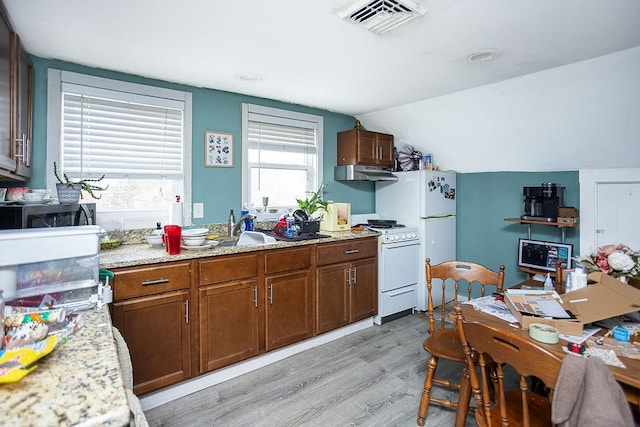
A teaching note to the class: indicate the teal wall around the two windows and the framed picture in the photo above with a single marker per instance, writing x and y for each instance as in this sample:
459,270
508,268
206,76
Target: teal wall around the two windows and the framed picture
218,188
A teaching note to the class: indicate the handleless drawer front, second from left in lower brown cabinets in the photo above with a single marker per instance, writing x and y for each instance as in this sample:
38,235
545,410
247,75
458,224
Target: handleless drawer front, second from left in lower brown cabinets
224,269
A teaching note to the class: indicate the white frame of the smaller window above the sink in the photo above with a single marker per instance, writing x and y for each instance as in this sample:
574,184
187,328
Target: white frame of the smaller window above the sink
286,115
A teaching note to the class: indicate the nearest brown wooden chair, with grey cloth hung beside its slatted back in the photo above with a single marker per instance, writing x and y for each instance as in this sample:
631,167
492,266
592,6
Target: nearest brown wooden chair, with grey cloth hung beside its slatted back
520,406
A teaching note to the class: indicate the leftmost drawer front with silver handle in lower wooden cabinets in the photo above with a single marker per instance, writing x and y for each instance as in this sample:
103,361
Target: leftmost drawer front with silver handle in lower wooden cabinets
151,279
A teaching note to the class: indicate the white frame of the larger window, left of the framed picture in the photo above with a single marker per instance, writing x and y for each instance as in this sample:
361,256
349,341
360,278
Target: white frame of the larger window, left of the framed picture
135,219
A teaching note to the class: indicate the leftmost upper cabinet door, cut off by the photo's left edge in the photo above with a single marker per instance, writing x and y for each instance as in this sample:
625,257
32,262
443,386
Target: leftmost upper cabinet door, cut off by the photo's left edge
7,161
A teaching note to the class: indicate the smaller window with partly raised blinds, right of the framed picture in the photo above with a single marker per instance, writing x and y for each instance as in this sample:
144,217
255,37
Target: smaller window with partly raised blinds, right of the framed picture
281,156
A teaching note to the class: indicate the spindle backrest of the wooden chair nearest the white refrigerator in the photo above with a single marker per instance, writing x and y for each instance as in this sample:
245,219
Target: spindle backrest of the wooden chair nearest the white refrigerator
456,274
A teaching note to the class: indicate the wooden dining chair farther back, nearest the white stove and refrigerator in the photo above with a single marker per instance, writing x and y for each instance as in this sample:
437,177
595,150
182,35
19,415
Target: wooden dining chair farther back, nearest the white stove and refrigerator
443,342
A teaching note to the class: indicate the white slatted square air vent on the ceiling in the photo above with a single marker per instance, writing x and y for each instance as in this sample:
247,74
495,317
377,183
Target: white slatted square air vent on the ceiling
380,16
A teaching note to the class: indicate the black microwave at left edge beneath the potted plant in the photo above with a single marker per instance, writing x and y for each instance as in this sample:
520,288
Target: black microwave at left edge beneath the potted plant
46,215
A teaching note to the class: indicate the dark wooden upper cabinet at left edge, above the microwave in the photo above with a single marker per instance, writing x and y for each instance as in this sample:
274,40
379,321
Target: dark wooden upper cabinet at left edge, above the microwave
16,104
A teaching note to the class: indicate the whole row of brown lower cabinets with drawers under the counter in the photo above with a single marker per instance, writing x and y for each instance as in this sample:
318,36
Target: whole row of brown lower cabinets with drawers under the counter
245,305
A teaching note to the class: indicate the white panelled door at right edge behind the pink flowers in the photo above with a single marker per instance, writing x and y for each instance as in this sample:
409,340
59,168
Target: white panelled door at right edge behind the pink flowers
609,203
